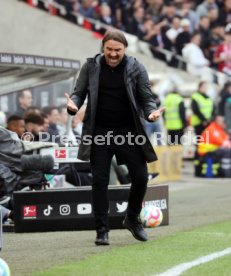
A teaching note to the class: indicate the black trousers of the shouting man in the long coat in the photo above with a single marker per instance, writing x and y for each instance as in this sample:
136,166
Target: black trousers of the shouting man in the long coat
133,157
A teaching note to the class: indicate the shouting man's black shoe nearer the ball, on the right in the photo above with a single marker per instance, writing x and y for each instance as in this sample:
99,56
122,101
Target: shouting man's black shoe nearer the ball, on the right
136,228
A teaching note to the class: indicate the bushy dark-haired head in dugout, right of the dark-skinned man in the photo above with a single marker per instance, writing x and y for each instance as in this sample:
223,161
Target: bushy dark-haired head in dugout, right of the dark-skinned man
34,124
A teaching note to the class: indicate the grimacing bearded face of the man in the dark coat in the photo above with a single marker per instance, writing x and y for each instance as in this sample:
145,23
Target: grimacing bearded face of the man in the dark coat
114,52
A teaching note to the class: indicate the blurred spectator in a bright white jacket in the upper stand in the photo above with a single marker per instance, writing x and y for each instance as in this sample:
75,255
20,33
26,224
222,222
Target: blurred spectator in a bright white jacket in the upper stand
195,58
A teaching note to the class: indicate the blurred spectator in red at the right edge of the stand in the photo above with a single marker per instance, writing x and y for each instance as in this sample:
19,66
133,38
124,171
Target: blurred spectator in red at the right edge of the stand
222,55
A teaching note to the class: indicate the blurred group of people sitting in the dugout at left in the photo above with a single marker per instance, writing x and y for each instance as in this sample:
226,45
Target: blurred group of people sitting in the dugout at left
29,121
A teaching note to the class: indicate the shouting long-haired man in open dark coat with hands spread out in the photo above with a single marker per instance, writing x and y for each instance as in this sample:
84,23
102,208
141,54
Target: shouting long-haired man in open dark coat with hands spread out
119,99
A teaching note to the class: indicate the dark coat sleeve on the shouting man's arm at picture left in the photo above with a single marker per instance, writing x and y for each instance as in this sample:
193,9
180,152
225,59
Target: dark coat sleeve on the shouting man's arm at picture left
81,87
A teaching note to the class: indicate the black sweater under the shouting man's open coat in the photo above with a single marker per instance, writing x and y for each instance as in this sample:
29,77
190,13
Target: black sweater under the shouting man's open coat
113,108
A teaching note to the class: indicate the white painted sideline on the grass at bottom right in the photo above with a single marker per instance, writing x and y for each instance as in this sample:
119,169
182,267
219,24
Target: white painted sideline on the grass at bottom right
177,270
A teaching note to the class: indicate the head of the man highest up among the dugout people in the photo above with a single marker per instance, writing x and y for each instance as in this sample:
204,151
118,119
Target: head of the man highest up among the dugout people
24,101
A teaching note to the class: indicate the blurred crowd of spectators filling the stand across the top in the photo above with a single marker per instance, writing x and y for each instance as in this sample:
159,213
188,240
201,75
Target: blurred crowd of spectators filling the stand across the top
186,28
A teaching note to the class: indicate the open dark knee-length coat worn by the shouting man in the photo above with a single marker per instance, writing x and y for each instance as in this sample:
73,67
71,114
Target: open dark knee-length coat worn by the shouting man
139,94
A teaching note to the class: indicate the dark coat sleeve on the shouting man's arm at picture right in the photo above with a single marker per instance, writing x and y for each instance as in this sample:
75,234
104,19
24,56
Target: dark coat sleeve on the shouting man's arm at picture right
144,93
